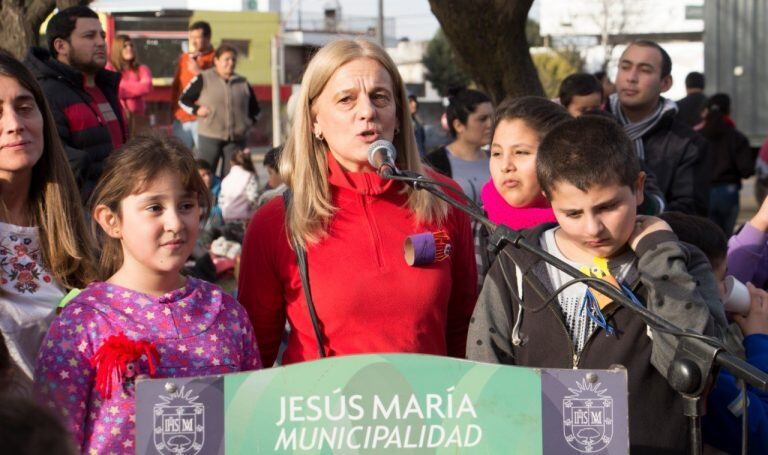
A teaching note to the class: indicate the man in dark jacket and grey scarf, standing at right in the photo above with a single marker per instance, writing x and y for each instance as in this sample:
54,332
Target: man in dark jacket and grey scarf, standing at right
676,154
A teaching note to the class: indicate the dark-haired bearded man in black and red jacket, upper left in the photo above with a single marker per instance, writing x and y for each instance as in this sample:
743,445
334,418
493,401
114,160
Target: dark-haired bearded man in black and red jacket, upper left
81,93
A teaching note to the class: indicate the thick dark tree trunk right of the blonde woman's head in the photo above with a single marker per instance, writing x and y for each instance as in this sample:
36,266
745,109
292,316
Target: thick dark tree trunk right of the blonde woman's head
489,39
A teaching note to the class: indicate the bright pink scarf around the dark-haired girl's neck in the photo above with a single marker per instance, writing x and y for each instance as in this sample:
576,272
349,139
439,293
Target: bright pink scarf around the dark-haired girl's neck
500,212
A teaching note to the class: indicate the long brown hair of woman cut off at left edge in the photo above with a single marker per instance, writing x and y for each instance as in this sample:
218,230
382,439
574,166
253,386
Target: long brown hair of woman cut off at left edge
54,200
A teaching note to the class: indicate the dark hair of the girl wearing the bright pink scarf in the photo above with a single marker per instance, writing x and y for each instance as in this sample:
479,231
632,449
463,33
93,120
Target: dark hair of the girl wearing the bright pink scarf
539,114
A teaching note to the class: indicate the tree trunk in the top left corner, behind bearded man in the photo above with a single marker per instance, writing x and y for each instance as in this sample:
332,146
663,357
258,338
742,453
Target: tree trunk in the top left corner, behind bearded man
20,21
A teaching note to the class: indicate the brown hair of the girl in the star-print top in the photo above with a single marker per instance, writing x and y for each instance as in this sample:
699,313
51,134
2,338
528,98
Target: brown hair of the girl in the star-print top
130,170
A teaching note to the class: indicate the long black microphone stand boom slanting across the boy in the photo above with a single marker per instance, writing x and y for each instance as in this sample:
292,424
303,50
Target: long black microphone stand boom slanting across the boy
697,357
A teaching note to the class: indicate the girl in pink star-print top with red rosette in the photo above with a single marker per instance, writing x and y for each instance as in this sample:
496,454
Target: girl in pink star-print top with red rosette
148,204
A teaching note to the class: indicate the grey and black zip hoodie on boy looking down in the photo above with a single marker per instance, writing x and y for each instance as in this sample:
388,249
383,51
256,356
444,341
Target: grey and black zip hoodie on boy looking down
675,279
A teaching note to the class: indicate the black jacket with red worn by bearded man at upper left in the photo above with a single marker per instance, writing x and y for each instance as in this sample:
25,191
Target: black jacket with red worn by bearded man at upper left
86,140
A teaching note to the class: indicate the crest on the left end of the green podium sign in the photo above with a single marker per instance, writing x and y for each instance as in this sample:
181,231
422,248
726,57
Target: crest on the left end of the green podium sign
179,424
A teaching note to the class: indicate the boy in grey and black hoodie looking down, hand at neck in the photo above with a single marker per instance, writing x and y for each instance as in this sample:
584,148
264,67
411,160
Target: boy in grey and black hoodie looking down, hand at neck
591,176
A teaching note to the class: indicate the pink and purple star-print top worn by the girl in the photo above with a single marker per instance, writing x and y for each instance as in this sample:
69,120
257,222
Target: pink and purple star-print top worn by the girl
198,330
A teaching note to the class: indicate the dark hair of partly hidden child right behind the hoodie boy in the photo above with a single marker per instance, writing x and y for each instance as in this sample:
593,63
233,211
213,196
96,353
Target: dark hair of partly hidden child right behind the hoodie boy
700,232
